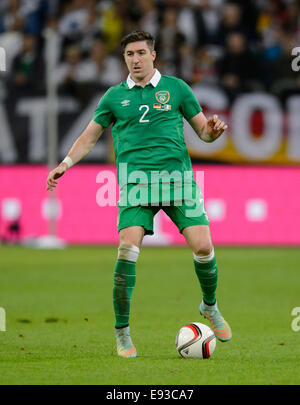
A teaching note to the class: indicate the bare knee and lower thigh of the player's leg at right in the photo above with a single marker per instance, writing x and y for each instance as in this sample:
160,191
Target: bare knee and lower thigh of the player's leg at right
198,238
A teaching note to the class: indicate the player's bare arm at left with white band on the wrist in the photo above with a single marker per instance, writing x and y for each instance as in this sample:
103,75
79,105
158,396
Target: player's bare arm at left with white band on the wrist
81,147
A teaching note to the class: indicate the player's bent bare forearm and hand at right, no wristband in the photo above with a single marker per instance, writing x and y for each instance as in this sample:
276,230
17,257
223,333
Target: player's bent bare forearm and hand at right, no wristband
208,129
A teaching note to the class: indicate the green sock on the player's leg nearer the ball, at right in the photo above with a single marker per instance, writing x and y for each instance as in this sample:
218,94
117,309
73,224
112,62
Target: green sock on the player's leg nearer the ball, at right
207,274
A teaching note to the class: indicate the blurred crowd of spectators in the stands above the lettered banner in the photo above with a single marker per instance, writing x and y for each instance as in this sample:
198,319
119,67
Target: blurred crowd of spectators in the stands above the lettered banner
240,46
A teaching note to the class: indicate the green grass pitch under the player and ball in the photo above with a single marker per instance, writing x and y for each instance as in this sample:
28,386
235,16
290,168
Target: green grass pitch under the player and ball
60,323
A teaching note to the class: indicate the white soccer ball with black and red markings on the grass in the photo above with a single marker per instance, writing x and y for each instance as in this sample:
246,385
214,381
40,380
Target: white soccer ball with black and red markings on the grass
195,341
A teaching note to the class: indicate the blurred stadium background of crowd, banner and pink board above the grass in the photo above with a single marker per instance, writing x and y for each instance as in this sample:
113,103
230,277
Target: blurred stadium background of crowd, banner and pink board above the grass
236,55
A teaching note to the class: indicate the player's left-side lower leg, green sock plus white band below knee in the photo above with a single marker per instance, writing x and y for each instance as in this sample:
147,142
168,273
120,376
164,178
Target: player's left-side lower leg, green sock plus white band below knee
124,282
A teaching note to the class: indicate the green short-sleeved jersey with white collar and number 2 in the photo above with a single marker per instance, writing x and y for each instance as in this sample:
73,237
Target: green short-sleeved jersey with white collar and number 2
147,123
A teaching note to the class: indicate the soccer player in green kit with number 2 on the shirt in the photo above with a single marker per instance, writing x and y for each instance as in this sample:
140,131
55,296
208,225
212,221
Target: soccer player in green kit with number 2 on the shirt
147,112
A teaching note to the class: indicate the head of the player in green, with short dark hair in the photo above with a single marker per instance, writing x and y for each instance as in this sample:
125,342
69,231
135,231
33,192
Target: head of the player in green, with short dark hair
139,53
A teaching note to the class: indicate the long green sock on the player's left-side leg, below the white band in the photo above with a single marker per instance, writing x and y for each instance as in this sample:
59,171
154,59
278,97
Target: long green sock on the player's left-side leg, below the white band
124,282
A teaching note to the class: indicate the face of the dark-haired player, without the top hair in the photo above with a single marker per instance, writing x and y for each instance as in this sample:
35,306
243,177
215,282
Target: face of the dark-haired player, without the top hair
139,59
